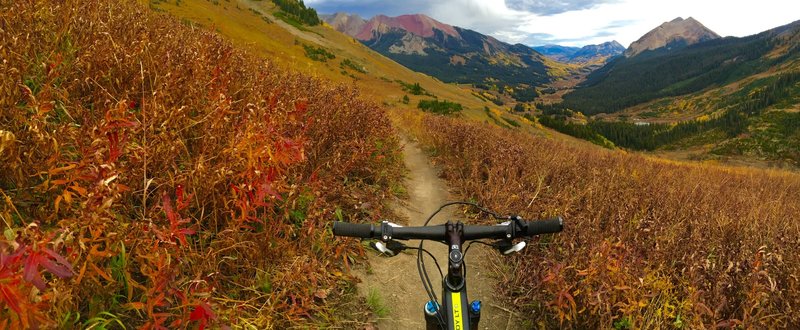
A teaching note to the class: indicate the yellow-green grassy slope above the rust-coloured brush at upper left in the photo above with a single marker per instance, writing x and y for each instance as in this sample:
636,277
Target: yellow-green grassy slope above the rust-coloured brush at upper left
253,25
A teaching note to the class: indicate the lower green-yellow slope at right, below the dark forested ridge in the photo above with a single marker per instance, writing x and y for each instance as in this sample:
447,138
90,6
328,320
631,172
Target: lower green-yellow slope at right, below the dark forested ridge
753,121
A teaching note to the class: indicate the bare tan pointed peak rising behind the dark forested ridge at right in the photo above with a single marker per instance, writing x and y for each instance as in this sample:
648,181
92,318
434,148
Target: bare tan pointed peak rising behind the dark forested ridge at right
676,33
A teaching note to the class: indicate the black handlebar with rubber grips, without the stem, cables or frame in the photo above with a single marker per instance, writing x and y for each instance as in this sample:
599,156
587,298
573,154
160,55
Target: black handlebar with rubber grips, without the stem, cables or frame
508,230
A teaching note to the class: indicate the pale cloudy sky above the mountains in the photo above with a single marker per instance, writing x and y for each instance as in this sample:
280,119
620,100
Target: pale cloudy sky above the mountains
579,22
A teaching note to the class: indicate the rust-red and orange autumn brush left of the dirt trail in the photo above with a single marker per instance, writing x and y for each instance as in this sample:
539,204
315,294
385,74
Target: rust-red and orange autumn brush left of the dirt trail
153,175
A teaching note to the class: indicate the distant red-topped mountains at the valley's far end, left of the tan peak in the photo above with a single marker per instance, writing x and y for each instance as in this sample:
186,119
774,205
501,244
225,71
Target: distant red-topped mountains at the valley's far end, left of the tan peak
500,72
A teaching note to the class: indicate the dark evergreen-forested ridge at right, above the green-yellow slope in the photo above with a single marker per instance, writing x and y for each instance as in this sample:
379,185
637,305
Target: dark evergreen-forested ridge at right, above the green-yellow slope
628,81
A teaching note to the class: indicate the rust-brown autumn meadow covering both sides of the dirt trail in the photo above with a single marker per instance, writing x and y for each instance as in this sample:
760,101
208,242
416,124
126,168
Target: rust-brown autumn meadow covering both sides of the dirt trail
155,175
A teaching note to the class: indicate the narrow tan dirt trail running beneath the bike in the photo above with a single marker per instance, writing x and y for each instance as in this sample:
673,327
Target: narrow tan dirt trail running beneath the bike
397,279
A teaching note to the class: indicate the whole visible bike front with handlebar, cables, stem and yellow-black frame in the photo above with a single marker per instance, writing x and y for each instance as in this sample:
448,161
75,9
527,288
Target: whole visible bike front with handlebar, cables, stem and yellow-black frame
453,311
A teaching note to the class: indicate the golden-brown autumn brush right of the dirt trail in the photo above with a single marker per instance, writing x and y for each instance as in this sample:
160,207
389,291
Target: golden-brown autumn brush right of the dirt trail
648,243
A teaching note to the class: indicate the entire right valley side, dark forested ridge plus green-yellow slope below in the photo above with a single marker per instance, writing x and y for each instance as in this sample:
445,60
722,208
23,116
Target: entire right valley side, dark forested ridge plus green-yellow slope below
733,100
